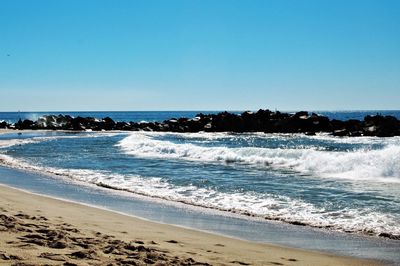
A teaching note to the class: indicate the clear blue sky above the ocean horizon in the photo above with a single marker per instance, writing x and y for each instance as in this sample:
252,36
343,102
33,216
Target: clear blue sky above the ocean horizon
199,55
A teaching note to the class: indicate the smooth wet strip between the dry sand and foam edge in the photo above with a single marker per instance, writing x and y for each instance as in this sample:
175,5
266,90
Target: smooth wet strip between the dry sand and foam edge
384,250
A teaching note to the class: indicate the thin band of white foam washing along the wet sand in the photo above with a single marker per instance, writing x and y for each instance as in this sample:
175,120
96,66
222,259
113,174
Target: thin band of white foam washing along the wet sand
265,205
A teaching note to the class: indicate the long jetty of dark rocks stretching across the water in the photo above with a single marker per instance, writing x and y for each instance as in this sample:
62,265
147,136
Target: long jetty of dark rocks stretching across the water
261,121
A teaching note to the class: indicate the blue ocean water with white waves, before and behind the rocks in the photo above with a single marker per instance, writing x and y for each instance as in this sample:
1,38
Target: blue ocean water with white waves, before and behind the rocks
337,184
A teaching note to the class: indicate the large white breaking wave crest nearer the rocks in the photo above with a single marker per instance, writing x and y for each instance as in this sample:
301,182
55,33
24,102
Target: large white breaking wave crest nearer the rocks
380,165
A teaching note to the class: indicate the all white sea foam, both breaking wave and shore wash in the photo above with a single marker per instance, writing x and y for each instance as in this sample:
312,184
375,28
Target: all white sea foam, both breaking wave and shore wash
380,164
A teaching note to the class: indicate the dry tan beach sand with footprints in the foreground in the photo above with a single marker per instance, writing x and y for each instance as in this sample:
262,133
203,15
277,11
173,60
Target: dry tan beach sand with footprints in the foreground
38,230
